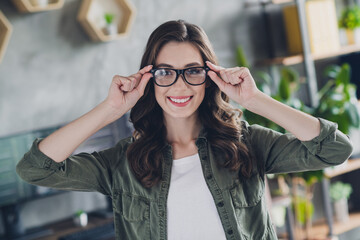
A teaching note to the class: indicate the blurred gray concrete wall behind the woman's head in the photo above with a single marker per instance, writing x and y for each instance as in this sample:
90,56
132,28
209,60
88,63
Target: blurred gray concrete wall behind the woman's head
52,73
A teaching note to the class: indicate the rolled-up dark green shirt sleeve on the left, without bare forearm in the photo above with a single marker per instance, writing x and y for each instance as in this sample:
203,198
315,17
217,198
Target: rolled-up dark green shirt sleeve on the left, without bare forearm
81,172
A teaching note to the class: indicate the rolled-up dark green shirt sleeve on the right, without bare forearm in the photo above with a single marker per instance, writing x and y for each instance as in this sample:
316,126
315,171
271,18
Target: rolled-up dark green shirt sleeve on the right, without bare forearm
283,153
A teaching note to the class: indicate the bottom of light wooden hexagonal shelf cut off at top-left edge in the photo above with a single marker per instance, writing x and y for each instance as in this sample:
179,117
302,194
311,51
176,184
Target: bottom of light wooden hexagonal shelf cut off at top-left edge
30,6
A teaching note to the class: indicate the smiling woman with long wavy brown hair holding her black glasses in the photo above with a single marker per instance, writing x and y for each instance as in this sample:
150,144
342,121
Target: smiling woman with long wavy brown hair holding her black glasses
191,170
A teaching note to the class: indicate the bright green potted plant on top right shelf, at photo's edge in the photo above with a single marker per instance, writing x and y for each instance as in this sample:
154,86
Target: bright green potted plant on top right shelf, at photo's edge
349,22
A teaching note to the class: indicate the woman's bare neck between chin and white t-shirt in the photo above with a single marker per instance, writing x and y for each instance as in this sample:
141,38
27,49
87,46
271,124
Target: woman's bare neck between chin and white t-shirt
182,130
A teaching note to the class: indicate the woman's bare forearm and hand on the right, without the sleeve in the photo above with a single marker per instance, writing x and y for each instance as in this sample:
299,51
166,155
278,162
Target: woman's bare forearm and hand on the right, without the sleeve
239,85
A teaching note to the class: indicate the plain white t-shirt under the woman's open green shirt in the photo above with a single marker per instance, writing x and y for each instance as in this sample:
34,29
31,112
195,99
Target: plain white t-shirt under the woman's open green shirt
192,213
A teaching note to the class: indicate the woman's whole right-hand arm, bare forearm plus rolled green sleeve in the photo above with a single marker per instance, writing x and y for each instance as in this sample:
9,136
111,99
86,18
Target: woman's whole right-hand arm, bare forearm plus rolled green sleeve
313,144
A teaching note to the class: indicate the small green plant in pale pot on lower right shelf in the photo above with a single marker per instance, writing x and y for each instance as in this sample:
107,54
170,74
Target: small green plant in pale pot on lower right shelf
340,193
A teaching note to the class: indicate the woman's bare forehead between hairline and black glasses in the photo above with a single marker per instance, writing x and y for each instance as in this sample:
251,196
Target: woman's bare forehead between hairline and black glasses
178,54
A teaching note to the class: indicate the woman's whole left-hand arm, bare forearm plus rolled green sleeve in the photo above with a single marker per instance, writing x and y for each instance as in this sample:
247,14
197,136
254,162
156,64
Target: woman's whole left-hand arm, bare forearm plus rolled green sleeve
48,162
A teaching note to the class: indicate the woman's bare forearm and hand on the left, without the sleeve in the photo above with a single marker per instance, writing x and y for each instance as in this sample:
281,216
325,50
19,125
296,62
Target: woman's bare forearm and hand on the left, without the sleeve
123,94
